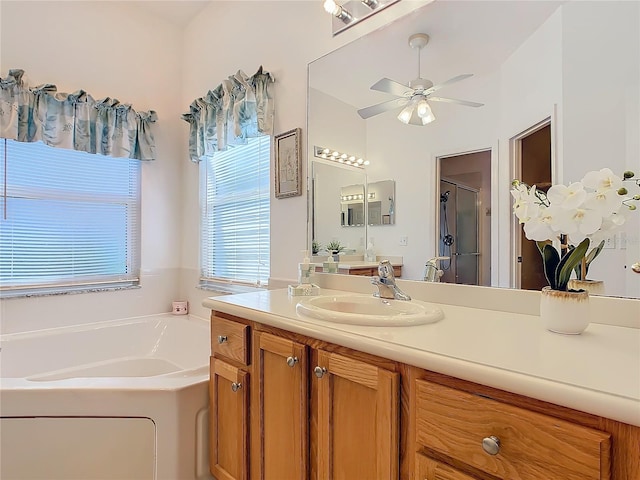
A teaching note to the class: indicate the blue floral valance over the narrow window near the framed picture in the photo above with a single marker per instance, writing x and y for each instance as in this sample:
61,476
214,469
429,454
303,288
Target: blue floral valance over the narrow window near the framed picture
239,108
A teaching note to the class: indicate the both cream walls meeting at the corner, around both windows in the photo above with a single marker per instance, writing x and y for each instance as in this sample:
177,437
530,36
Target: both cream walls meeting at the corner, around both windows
123,50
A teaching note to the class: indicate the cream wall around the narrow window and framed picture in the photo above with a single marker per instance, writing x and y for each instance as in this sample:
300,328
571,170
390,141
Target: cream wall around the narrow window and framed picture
284,37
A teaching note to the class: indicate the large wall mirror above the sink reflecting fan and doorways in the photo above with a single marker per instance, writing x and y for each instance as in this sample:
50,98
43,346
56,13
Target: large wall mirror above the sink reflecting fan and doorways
559,84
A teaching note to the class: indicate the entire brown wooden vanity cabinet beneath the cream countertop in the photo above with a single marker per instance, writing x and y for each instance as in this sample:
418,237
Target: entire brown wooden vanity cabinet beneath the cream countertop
286,406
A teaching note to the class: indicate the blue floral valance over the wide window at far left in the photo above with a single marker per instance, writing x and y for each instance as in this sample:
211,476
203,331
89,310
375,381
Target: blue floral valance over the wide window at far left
73,120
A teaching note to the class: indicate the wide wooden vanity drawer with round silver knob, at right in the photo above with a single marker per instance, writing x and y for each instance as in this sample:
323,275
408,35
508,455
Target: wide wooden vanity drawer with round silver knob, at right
531,445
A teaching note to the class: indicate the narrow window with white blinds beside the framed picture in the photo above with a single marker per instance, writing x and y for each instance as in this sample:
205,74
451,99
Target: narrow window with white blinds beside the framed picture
234,199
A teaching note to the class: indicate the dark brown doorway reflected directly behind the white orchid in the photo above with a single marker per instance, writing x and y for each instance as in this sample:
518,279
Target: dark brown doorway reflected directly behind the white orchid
532,155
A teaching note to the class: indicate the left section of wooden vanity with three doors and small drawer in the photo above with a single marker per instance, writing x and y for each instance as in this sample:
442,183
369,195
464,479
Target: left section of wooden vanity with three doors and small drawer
352,404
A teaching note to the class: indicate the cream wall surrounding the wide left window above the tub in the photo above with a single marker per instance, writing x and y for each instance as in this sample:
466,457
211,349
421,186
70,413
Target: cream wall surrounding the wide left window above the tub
107,49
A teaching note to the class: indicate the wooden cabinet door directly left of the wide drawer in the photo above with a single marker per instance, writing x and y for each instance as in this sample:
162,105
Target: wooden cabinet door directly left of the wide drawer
358,408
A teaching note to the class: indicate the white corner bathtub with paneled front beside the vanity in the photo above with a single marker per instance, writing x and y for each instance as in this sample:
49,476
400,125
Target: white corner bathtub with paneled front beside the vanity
117,400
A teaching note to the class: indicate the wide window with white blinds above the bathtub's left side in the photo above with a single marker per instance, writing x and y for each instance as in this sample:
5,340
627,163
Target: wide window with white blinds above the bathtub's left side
69,220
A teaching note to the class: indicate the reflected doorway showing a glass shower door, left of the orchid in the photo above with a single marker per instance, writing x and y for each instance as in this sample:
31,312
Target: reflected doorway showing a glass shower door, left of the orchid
464,231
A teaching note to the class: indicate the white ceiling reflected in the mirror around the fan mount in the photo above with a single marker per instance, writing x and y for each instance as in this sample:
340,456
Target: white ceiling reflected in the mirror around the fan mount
466,36
